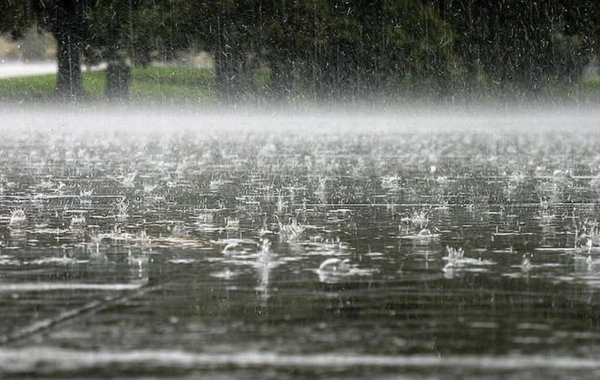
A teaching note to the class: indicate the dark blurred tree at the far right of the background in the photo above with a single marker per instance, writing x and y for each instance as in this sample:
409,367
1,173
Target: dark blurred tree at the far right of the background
522,43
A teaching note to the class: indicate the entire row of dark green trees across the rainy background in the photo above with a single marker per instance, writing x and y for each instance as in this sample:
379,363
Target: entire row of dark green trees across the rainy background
328,49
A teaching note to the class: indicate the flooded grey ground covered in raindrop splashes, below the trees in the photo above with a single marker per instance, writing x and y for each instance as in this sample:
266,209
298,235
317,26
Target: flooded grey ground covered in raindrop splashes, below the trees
140,244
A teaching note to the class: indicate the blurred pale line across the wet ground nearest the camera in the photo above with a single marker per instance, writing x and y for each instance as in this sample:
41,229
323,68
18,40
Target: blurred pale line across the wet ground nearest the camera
55,360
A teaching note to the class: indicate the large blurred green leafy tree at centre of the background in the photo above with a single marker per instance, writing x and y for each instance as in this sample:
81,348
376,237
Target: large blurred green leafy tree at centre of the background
340,49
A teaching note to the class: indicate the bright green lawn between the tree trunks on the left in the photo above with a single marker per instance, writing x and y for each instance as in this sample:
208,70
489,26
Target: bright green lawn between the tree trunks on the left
156,83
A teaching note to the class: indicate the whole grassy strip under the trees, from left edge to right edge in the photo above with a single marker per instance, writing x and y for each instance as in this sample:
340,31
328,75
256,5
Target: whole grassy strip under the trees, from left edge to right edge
176,85
